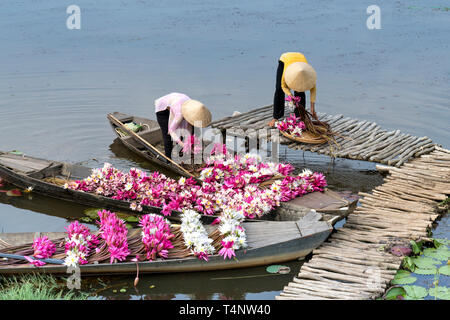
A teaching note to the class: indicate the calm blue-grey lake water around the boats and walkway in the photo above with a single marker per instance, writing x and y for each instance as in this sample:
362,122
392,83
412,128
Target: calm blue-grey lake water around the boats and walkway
57,85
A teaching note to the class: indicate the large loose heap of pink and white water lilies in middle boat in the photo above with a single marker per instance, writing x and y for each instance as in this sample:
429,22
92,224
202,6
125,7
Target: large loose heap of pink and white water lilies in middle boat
228,182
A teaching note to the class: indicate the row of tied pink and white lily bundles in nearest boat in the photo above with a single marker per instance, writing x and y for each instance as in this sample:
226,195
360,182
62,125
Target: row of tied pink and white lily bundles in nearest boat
157,239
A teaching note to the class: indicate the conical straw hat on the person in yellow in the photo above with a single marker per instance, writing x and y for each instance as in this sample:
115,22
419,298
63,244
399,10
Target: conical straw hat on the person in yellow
300,76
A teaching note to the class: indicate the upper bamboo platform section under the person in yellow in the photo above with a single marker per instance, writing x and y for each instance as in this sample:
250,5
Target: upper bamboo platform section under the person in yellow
359,140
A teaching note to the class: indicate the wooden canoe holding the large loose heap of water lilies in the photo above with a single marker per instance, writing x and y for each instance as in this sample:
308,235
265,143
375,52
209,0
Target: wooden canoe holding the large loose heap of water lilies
25,171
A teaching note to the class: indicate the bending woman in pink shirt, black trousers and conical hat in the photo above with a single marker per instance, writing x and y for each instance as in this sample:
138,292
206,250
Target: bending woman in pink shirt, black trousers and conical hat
175,113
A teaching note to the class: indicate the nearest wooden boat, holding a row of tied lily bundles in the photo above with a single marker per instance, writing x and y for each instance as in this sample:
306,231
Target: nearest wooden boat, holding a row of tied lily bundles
269,242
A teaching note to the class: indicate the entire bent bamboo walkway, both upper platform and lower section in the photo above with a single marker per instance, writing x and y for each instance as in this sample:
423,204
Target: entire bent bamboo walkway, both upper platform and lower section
354,262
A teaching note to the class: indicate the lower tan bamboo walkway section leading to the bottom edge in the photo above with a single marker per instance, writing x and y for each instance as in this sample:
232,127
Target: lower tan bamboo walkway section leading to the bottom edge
355,262
